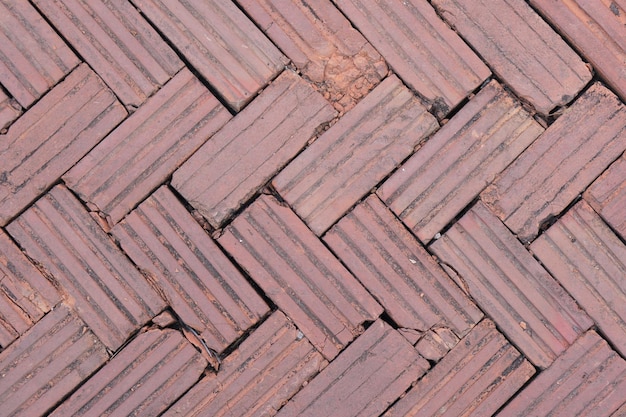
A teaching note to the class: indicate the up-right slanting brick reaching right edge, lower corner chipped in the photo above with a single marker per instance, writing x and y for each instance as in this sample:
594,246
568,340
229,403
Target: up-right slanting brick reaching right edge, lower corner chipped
560,164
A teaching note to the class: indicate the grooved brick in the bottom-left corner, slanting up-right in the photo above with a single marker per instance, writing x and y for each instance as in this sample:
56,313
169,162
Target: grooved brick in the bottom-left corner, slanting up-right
47,363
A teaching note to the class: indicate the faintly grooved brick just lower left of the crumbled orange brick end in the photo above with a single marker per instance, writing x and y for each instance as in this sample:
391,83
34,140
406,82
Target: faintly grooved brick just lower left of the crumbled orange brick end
231,167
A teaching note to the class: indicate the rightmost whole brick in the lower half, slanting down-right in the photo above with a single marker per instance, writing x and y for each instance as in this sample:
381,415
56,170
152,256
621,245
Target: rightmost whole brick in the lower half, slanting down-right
526,303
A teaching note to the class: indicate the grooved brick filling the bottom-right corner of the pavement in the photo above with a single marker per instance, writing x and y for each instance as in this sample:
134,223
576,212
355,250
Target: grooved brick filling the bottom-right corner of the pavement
588,379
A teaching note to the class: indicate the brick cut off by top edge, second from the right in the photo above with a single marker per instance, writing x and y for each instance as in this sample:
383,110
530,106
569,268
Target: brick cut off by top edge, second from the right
520,48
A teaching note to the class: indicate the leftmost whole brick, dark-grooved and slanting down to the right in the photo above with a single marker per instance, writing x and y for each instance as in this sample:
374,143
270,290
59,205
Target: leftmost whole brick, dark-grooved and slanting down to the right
108,293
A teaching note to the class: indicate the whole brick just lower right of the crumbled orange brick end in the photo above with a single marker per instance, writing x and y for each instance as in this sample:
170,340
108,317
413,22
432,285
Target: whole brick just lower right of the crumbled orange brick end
354,155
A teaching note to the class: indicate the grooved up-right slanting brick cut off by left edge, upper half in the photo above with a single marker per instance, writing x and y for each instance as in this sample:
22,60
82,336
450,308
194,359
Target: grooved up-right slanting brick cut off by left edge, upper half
52,136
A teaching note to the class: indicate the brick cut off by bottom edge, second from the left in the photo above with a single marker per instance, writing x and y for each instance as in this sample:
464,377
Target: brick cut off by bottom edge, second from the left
144,378
